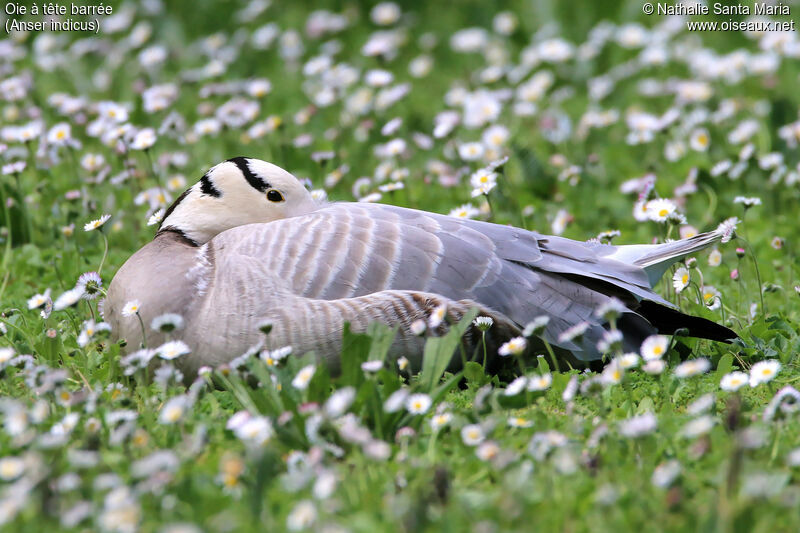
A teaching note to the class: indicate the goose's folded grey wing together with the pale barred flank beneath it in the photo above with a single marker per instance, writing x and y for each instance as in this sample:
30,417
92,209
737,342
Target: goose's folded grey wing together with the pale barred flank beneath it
376,262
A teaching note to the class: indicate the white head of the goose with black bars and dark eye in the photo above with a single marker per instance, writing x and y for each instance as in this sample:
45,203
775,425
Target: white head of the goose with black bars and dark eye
234,193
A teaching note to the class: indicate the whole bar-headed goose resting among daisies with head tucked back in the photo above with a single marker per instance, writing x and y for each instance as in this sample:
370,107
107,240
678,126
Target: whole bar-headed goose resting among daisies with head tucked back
247,245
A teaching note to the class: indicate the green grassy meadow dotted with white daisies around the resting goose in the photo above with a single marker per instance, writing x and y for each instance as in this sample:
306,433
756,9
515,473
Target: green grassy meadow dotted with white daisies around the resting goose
615,125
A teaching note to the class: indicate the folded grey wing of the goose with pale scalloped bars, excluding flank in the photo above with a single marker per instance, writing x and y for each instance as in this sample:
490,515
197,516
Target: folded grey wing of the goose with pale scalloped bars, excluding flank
352,250
